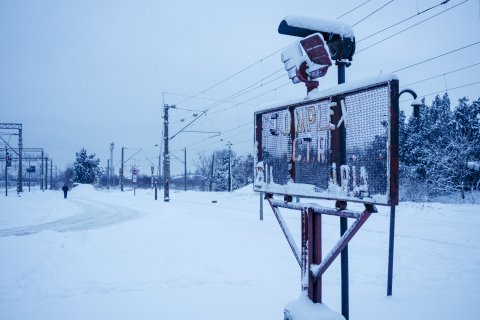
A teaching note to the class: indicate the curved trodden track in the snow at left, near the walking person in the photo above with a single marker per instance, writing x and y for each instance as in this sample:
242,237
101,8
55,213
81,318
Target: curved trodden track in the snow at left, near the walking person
94,215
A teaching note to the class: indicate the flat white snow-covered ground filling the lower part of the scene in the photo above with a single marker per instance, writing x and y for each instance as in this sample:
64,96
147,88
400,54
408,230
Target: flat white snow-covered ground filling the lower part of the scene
112,255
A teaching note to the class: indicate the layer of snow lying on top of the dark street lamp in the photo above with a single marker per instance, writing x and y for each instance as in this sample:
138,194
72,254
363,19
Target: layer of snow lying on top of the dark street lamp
320,24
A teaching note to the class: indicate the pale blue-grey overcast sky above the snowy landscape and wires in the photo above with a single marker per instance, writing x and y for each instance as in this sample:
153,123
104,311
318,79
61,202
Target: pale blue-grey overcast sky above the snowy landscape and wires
83,74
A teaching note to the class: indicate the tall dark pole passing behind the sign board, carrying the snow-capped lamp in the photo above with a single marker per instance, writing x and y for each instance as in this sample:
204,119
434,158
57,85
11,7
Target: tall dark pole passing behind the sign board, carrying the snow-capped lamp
343,221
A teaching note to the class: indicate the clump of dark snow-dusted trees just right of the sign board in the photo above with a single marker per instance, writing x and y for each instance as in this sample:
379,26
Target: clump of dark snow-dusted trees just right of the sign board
435,148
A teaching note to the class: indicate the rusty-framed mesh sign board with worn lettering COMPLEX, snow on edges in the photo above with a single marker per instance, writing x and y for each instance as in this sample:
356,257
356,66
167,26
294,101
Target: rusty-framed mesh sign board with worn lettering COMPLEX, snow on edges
339,144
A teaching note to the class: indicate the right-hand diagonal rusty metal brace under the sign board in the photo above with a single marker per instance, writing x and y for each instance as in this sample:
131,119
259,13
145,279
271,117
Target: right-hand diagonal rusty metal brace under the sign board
318,270
